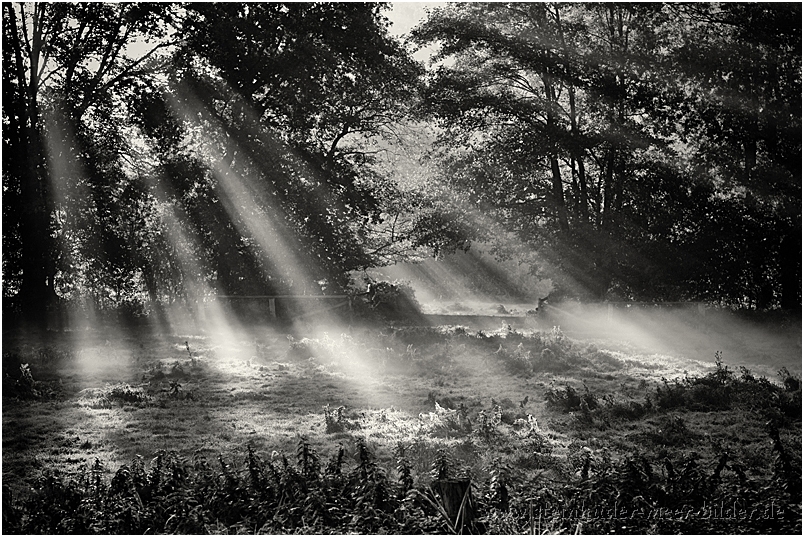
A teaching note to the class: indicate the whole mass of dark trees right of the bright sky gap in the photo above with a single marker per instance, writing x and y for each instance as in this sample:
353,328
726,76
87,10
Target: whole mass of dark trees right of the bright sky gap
644,151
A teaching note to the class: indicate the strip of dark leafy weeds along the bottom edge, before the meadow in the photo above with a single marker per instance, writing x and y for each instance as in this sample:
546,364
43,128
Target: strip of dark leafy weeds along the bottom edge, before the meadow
353,493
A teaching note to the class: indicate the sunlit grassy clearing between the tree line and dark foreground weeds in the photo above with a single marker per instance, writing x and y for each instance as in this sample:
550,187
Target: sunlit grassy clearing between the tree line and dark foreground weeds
539,401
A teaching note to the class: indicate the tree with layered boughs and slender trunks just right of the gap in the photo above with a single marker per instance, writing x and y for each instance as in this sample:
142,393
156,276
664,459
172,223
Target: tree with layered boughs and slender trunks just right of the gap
546,115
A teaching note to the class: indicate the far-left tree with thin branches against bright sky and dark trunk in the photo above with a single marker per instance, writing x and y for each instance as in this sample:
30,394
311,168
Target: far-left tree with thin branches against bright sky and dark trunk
62,65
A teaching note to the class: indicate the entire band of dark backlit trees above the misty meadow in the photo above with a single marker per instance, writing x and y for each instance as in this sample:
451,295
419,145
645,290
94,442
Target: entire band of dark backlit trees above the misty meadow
160,153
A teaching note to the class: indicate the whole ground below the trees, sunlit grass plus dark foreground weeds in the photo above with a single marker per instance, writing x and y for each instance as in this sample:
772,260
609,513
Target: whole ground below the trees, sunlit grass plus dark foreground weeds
356,429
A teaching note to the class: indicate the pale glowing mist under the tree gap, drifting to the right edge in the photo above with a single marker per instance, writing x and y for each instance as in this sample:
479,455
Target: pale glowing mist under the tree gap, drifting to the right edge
474,290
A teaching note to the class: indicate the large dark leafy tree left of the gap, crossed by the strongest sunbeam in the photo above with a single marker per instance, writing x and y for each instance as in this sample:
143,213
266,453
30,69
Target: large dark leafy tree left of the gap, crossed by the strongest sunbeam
290,97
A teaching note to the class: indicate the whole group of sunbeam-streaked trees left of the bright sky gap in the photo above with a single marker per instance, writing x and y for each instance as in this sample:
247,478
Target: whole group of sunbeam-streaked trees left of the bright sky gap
234,156
